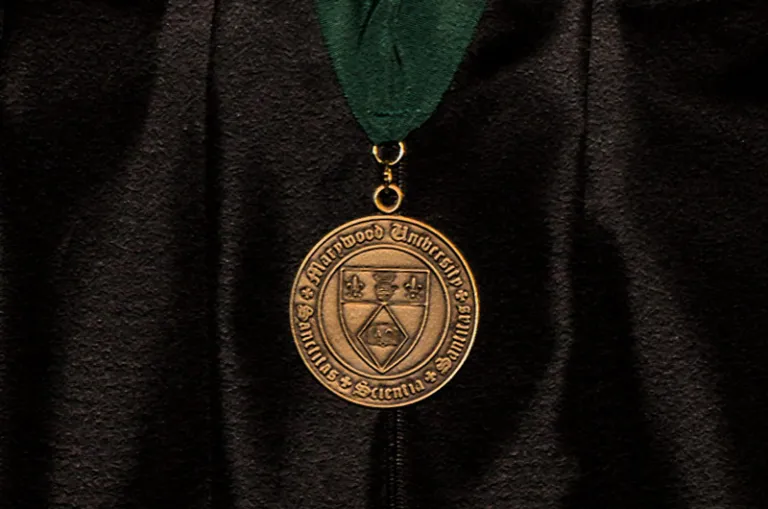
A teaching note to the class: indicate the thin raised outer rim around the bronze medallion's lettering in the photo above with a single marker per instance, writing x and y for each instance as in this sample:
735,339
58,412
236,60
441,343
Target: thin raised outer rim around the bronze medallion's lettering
476,322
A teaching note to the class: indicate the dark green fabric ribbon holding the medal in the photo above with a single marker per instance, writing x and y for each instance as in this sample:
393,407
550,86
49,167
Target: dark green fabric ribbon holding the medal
396,58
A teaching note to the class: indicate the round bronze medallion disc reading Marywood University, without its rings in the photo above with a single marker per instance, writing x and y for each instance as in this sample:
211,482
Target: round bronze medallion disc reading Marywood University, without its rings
384,311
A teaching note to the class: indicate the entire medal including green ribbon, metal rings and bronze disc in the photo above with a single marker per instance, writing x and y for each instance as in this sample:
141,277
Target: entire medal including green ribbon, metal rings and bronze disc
384,308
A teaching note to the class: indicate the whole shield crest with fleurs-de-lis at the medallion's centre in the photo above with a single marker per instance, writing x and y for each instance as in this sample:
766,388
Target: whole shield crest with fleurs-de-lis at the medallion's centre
383,312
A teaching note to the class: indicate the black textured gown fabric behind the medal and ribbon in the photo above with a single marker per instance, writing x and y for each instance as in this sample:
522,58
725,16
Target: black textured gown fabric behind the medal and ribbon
166,166
